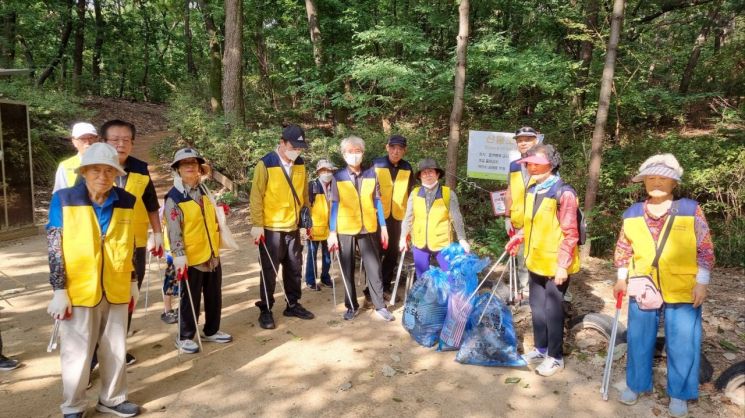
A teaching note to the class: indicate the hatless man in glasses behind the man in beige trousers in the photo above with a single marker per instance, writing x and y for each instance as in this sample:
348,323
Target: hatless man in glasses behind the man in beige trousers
121,135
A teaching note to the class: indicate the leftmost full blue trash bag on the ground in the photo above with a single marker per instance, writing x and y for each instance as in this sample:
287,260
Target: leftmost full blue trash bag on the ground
426,306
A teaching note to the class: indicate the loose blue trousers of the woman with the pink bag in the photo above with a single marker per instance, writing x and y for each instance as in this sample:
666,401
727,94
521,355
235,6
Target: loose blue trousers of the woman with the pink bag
682,344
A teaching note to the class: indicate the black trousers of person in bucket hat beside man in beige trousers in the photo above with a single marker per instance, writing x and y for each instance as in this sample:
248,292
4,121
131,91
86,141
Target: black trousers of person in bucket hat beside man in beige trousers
207,283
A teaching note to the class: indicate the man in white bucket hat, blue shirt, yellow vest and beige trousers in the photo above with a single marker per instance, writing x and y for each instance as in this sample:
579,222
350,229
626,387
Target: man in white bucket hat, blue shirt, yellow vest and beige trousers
91,245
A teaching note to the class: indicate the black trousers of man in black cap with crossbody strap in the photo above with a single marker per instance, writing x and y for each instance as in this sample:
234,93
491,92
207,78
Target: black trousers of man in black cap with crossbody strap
285,250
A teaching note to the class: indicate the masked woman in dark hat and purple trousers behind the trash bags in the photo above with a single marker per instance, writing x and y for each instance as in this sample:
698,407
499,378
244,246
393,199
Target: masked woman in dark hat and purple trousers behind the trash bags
430,211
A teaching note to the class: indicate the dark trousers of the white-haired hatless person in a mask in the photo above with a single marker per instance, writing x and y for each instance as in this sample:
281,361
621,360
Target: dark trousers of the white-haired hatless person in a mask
371,260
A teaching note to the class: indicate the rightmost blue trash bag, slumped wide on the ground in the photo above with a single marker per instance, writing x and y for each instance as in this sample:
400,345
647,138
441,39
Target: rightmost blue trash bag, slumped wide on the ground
491,342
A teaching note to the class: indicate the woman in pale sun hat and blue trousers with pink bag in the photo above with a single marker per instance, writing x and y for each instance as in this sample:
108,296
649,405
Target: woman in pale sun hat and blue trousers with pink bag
674,233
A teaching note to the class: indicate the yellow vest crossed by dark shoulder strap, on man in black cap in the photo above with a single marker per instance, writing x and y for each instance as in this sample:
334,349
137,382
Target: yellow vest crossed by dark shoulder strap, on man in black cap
281,210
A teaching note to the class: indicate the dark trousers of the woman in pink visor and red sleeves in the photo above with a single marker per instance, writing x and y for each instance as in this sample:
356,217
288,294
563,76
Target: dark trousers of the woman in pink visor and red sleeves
546,304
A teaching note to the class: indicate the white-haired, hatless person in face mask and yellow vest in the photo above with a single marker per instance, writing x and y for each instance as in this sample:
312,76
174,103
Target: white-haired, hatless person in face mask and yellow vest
356,214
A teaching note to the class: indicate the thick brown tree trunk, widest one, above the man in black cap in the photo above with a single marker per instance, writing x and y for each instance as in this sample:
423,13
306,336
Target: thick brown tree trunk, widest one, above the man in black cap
232,78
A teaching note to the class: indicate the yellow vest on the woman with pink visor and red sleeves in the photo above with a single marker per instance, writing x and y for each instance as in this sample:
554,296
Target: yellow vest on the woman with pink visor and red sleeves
543,234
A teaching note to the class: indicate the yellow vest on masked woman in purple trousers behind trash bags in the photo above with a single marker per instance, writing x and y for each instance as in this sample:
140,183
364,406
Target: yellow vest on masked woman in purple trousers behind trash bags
431,228
